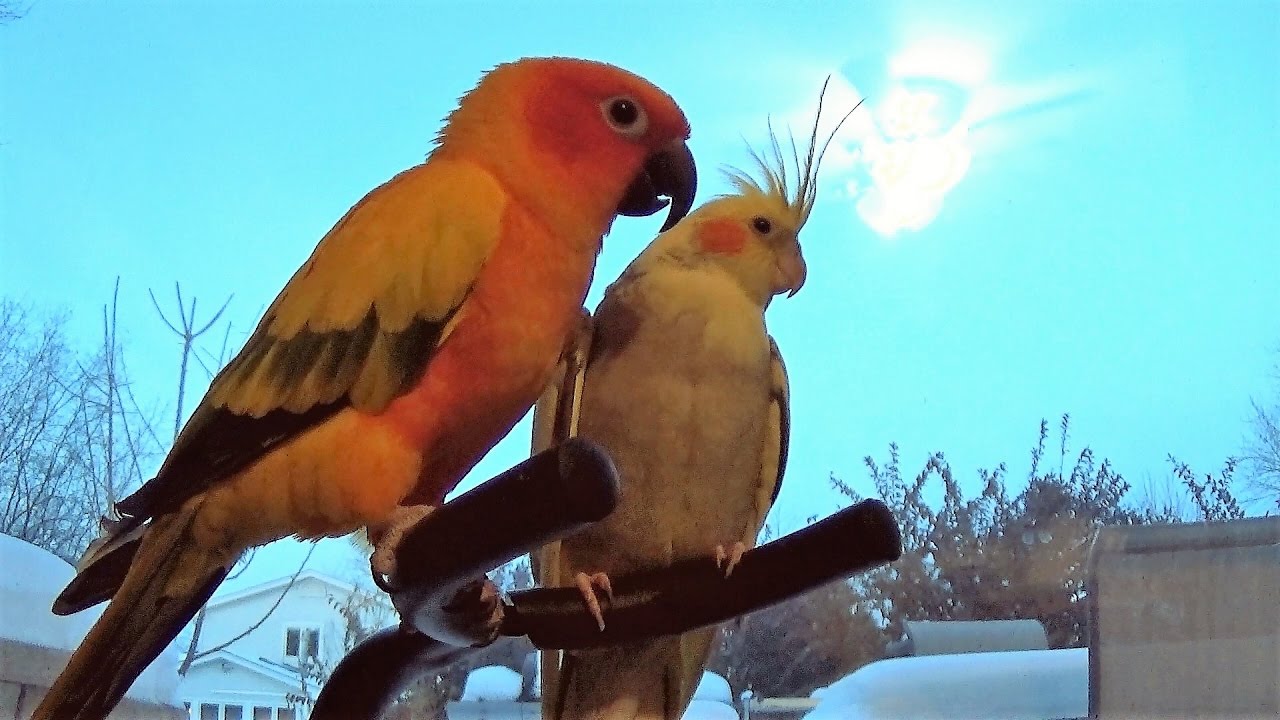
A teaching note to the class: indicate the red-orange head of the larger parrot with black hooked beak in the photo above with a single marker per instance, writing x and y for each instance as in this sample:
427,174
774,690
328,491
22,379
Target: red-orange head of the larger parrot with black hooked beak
578,140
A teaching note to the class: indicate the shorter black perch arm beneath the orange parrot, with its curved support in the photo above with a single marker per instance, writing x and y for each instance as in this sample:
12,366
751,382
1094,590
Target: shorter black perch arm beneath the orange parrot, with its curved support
550,496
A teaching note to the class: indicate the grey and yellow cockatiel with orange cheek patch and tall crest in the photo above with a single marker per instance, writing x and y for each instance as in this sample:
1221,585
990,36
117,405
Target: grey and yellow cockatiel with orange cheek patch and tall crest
679,380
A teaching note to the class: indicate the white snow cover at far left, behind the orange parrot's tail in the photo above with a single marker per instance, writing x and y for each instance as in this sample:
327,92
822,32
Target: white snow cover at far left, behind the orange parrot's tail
33,580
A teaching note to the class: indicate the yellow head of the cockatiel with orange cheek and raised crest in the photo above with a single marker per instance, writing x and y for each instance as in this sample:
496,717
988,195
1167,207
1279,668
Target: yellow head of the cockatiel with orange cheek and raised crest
755,234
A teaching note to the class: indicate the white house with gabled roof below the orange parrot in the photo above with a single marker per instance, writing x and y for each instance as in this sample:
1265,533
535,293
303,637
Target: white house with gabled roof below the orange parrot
250,668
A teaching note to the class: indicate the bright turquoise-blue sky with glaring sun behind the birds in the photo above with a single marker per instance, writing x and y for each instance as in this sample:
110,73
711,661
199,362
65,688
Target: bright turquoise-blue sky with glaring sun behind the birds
1040,209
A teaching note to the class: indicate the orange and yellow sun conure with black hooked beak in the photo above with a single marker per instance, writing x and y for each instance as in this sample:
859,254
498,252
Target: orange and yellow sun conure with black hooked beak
423,327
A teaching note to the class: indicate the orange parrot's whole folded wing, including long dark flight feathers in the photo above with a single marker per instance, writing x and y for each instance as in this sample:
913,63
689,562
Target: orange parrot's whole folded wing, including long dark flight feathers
355,327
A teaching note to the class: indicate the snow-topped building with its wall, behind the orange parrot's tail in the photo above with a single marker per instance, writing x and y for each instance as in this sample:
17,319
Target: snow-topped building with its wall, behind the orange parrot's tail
35,644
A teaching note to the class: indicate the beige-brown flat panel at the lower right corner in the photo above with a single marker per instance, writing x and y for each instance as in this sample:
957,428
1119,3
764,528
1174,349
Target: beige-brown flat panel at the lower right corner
1187,621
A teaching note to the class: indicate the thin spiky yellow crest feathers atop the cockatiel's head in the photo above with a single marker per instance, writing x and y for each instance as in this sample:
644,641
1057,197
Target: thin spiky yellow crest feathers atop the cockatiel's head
775,168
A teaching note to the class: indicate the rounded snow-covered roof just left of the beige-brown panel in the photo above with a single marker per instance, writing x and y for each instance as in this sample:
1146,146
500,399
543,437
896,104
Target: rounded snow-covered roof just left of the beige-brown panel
1031,685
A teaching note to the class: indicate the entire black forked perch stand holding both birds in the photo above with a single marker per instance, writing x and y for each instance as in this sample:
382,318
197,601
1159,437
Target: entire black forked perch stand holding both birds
550,496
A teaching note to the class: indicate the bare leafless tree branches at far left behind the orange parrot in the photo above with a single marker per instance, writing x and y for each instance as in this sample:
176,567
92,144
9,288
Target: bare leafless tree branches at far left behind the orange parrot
72,438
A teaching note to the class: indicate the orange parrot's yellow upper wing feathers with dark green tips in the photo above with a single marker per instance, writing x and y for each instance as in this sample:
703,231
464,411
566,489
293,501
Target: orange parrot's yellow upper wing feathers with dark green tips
353,323
